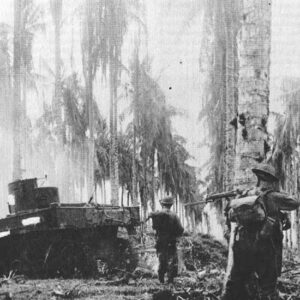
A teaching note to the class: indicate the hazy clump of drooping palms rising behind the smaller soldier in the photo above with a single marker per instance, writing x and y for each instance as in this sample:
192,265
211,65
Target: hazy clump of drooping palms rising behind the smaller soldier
155,139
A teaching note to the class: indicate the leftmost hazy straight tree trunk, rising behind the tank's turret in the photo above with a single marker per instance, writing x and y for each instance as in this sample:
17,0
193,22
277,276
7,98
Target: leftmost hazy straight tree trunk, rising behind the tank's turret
17,172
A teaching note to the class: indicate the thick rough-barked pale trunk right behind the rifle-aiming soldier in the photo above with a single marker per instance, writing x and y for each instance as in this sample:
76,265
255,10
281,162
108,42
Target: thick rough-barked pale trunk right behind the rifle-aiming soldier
254,43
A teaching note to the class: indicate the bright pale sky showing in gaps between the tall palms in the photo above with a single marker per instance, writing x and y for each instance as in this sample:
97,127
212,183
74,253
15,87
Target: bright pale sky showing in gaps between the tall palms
174,39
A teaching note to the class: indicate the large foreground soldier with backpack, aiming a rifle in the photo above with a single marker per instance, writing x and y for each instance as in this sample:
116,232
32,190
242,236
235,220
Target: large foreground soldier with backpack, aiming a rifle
257,250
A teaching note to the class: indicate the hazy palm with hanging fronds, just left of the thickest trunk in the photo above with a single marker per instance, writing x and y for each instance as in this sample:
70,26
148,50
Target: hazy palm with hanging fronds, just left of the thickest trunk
214,64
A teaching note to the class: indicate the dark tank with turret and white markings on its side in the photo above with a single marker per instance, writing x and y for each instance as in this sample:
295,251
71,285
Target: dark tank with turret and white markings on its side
43,238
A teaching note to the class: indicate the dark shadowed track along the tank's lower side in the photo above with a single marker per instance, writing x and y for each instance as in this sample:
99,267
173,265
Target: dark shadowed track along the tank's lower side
68,253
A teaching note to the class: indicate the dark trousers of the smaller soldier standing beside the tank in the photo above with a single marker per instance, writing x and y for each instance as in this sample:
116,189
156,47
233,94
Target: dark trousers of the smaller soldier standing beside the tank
168,262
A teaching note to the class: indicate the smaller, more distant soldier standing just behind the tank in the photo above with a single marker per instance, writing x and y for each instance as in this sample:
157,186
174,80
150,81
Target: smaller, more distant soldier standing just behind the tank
168,228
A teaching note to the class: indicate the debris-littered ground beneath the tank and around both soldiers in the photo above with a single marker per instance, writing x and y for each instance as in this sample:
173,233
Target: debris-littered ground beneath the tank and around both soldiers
202,268
